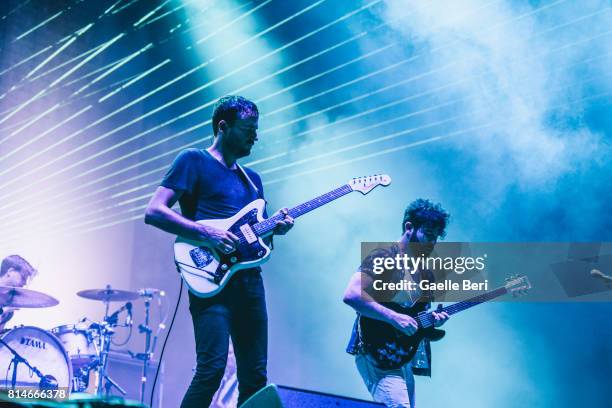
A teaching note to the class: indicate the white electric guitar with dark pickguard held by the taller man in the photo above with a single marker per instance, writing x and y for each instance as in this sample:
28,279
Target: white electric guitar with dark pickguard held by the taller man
206,270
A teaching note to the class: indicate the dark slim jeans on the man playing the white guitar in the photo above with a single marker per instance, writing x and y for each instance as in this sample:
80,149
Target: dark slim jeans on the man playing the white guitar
240,311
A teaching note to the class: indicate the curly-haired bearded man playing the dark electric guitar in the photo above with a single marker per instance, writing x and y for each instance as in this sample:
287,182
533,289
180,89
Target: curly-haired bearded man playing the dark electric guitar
423,223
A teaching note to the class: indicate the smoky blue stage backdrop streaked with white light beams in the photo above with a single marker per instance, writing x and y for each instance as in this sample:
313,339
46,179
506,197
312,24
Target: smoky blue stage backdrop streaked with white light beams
498,109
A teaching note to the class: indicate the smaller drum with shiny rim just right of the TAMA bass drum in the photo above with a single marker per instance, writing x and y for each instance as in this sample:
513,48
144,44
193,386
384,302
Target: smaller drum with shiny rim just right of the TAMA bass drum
80,342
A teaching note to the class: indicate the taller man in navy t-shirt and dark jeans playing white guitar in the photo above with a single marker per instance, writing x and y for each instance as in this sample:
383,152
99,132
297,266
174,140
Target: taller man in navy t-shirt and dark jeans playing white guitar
208,184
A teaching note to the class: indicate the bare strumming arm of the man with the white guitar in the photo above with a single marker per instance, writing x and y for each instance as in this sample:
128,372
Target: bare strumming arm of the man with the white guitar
159,213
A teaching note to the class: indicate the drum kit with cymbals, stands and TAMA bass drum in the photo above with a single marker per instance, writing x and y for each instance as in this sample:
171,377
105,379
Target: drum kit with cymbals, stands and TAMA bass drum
72,357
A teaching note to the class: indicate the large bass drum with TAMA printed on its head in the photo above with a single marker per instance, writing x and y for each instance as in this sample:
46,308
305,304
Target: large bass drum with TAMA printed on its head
41,350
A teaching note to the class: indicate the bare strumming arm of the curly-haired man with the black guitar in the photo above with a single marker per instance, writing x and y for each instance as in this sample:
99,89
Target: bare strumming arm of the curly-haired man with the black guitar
365,305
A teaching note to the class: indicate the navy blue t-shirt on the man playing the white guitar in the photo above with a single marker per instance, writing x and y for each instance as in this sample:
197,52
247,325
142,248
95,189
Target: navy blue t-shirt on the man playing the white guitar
210,190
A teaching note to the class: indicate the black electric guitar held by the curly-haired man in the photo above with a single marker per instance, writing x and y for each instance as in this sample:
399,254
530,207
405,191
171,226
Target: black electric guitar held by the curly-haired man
390,348
